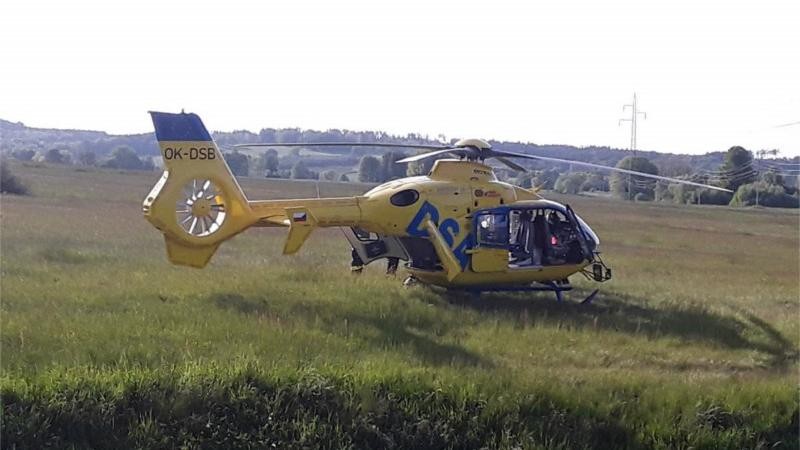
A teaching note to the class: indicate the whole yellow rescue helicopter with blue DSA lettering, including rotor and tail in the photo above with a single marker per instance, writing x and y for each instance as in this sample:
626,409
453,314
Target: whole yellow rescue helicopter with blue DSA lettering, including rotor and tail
457,227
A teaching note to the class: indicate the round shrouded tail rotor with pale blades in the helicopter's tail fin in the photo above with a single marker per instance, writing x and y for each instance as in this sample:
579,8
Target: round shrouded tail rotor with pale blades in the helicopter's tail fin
201,211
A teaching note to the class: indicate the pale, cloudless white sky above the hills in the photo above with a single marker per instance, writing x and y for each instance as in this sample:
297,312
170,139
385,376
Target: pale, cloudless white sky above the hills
708,74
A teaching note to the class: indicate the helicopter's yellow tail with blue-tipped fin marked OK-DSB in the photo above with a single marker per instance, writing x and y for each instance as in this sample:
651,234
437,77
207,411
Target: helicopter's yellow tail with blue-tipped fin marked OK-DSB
197,204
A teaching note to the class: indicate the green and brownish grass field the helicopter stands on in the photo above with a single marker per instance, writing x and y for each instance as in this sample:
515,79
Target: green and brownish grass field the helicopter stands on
694,343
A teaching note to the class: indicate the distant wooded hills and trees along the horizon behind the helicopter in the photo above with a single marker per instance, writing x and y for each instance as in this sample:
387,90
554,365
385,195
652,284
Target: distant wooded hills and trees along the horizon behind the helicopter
735,169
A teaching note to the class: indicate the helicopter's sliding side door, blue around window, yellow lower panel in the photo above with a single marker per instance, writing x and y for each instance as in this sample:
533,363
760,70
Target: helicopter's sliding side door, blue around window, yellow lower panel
491,251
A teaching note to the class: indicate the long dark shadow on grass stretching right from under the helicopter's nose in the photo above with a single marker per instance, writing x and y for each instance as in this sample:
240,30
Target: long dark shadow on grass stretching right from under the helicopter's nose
634,316
